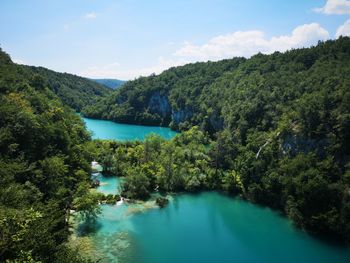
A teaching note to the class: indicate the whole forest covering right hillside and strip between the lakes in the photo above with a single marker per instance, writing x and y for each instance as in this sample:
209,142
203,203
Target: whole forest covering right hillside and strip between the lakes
273,128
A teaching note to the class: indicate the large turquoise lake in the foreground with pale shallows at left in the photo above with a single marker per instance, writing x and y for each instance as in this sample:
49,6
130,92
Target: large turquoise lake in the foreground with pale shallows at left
208,227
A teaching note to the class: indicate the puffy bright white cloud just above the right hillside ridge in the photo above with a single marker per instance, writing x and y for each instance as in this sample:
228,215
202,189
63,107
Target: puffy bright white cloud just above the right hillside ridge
247,43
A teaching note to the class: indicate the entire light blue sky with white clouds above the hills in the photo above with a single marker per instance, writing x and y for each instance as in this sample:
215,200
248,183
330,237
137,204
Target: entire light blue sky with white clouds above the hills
125,39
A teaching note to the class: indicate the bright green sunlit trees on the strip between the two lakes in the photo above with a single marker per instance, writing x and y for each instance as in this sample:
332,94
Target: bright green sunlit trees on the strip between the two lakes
180,164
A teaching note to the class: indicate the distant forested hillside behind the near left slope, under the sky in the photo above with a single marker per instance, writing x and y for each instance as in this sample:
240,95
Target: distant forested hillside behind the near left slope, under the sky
73,90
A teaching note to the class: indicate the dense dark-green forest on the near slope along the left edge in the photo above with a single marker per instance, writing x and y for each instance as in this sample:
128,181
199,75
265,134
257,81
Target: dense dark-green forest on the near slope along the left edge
45,166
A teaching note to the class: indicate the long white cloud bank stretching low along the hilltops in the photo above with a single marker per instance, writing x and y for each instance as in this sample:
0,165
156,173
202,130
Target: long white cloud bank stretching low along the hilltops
240,43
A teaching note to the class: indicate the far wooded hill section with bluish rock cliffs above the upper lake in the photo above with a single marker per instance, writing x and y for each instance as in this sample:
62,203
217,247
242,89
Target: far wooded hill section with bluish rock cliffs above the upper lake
172,96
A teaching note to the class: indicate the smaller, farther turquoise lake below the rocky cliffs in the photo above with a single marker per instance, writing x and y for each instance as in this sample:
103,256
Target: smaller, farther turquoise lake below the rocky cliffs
123,132
